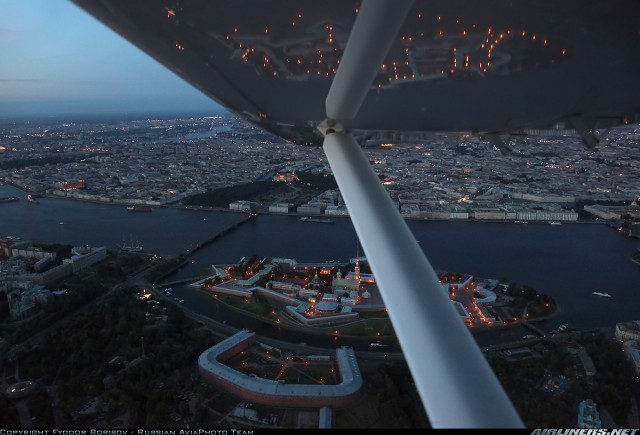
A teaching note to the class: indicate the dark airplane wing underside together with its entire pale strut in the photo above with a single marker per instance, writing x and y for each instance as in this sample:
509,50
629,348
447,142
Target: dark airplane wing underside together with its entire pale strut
317,72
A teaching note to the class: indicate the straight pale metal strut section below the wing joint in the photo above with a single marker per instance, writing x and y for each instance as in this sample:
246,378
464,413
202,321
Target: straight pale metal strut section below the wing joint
455,382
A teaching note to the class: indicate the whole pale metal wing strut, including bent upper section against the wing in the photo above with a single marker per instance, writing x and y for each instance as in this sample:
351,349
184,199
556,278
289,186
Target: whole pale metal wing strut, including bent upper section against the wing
456,384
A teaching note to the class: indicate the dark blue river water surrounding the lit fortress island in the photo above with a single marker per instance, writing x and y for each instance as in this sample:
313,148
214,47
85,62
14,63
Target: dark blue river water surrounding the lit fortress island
567,261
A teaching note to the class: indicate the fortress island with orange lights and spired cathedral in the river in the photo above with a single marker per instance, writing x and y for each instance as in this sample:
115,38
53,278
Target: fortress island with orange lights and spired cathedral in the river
343,298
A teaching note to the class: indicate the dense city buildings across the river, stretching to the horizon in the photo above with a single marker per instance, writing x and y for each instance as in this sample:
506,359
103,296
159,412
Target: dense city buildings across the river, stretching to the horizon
152,164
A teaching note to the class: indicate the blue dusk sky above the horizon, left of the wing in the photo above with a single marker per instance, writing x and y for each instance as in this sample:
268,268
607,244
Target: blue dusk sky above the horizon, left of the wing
58,59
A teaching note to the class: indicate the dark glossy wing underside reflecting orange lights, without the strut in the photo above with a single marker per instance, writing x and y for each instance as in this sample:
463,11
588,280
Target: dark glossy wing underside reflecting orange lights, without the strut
486,66
